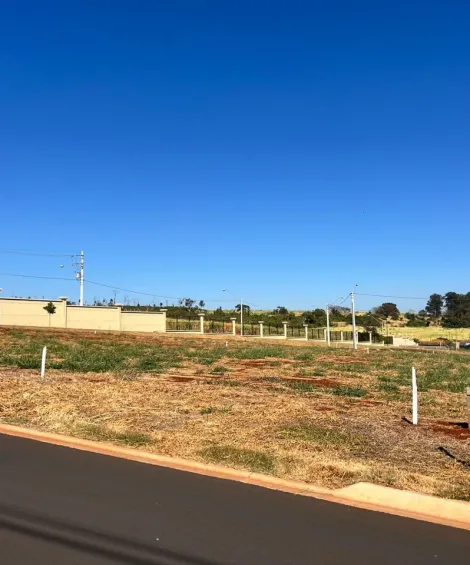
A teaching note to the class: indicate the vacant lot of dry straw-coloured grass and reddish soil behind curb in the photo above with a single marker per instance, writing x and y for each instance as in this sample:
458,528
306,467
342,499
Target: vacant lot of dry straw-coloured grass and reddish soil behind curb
326,416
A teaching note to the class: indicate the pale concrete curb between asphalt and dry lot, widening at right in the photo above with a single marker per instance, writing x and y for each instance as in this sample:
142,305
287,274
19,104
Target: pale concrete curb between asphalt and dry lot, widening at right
367,496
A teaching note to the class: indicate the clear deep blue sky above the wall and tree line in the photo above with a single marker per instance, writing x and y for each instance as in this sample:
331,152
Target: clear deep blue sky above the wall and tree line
282,150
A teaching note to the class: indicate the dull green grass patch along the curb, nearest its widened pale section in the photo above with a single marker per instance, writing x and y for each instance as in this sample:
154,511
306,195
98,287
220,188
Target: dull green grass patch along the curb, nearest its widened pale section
255,461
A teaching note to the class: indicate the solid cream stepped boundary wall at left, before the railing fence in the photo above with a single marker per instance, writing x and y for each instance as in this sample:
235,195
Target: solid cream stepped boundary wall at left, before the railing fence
26,312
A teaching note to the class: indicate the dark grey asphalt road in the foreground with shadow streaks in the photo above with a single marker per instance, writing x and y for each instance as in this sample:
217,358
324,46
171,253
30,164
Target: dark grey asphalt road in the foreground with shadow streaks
63,506
